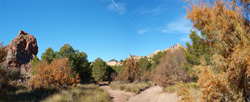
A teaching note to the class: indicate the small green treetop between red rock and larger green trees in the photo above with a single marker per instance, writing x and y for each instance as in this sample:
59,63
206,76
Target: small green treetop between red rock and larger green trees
48,55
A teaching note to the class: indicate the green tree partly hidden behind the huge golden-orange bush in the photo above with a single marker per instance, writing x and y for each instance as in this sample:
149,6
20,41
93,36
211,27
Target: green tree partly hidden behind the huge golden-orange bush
194,52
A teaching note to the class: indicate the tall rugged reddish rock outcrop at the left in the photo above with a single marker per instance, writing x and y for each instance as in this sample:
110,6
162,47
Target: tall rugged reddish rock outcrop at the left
20,51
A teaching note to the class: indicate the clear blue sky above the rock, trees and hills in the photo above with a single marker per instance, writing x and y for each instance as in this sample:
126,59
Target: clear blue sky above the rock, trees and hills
109,29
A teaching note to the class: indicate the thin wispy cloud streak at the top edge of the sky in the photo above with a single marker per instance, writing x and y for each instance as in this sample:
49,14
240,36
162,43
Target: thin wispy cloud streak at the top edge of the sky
117,7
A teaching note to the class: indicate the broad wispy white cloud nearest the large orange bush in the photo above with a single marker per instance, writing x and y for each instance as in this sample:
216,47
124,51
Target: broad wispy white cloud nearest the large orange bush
180,26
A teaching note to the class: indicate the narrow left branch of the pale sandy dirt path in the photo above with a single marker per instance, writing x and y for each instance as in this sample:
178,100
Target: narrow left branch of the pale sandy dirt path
118,95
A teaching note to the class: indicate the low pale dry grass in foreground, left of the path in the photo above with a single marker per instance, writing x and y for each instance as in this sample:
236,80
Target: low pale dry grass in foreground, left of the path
81,93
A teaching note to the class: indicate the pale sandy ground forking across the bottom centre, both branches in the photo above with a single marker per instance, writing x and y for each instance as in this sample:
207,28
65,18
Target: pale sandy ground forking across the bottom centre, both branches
152,94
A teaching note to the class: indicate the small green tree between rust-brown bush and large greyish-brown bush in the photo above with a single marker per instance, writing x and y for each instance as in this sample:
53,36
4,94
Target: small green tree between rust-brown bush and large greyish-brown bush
144,64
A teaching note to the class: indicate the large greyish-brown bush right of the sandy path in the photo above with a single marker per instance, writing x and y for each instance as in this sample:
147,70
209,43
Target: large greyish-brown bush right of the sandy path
170,69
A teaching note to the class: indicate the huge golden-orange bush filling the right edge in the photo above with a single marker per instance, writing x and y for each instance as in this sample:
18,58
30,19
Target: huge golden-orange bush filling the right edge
225,25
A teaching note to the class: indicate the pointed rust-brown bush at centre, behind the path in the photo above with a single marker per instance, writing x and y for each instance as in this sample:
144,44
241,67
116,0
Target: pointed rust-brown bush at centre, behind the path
131,72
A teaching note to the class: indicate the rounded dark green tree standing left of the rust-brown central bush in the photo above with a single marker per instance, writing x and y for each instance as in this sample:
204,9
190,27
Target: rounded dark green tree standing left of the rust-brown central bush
99,68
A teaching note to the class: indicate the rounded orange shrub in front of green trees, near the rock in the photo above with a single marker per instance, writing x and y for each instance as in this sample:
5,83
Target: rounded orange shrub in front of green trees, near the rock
57,74
